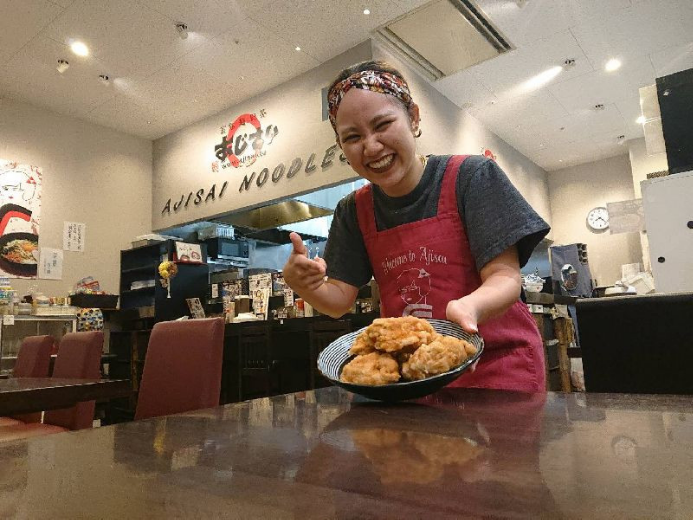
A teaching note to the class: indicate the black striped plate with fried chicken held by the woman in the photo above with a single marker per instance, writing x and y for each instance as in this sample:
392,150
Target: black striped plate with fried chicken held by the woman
395,359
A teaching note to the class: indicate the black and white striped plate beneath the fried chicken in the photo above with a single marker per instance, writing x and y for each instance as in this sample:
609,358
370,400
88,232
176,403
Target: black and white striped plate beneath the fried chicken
336,355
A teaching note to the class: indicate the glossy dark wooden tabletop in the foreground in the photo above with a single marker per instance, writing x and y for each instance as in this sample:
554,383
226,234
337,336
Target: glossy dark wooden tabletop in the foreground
461,453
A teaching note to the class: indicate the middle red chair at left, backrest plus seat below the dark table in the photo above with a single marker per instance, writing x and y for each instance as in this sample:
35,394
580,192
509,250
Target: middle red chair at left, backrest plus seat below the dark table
79,357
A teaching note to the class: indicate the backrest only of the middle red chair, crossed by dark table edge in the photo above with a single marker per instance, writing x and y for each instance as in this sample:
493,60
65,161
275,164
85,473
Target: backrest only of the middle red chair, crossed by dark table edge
79,357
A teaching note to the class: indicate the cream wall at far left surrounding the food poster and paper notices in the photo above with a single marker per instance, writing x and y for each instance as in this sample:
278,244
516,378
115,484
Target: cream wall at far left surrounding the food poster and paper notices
91,174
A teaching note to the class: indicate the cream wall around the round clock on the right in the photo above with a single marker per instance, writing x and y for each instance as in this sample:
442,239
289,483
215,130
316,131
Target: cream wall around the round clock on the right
573,192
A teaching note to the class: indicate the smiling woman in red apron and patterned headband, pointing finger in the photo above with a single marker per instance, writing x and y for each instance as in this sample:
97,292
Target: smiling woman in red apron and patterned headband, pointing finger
443,236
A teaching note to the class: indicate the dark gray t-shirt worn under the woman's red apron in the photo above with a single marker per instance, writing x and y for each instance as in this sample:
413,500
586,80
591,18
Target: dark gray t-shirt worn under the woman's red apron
493,212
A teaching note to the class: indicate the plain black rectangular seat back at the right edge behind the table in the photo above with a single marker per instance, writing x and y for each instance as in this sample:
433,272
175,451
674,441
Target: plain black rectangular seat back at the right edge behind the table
637,344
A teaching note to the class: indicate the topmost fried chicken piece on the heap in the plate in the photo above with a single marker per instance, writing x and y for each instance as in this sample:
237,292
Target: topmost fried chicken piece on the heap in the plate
395,334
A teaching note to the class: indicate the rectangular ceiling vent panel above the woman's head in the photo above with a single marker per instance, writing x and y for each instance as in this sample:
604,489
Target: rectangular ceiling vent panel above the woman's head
445,37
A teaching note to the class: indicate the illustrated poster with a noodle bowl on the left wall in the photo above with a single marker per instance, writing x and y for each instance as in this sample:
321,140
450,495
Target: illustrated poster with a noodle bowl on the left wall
20,217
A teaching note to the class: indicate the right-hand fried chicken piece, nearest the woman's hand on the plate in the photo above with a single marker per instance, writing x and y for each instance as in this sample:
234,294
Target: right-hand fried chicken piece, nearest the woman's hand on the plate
442,354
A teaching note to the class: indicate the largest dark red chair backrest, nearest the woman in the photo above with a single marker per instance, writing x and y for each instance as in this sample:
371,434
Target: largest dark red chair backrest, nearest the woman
182,367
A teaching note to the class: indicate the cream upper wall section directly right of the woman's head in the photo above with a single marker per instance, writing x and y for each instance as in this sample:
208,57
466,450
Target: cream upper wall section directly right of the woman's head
446,129
